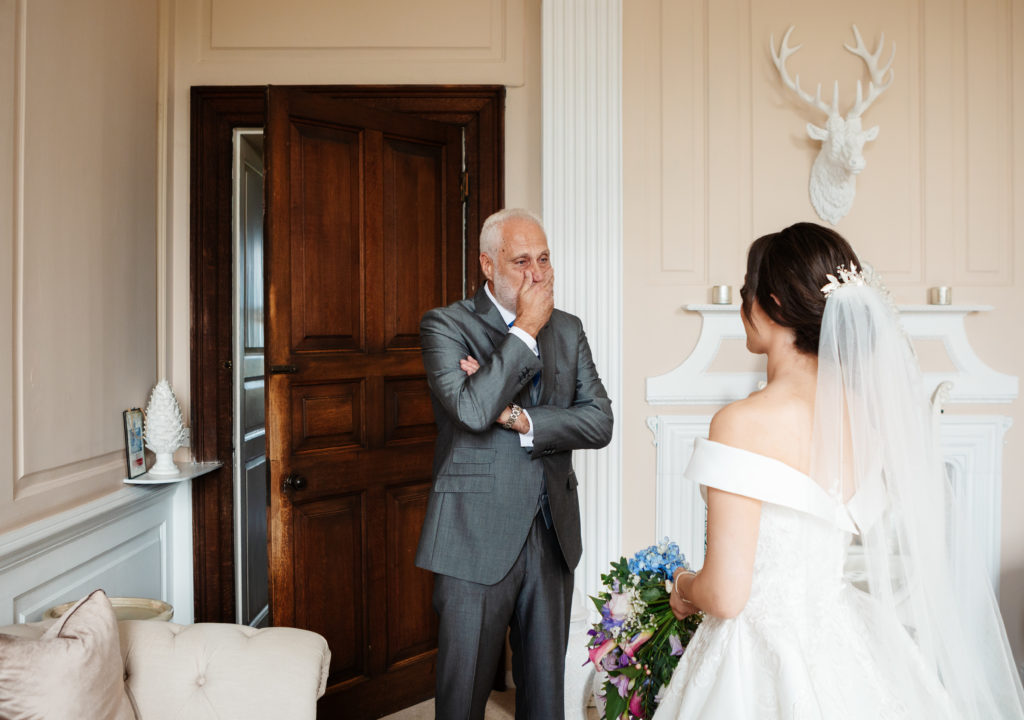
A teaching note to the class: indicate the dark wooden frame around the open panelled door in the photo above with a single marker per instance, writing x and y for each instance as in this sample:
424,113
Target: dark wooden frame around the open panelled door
216,112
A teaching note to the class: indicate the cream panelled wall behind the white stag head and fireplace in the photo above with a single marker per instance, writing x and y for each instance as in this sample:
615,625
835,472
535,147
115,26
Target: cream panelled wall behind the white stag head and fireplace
716,155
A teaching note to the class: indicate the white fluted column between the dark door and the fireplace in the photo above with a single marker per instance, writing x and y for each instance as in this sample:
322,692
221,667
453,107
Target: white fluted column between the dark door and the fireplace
583,214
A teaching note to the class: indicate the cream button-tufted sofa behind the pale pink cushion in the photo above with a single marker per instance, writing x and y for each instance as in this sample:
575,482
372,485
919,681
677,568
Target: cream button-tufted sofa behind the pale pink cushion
218,671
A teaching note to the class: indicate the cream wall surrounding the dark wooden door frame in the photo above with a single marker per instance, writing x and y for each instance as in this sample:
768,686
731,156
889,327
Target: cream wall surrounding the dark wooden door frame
230,43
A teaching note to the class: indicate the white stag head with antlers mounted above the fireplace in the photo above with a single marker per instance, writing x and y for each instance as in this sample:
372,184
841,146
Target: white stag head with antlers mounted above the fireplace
834,177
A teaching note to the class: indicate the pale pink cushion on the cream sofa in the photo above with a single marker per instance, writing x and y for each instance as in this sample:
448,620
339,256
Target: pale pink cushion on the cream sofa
73,671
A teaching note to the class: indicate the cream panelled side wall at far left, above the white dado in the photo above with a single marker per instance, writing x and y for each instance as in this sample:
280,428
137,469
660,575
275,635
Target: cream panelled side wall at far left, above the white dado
78,198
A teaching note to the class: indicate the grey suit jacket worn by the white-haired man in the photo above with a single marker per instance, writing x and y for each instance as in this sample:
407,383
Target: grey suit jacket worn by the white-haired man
487,487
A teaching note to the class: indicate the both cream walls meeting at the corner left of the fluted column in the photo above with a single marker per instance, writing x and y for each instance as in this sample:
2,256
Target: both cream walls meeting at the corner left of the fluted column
95,196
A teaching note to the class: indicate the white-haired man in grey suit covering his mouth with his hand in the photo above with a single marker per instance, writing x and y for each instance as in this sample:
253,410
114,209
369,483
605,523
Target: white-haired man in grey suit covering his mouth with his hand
515,392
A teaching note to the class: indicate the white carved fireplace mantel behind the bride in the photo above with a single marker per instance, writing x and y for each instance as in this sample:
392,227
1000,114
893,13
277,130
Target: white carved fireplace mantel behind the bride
972,445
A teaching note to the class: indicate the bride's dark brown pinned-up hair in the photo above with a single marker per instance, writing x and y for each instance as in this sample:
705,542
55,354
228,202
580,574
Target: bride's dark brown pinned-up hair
792,266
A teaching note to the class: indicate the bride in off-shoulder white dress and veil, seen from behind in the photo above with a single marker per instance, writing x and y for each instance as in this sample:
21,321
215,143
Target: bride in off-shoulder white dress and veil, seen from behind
837,447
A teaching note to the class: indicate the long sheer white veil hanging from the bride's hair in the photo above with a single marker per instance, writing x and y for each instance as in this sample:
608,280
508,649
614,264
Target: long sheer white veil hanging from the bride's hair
876,454
